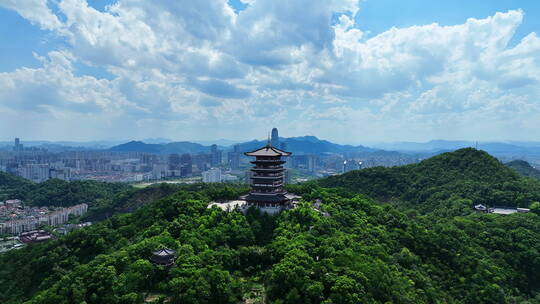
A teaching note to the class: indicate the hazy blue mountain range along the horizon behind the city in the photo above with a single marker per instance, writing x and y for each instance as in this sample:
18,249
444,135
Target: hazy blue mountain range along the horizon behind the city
298,145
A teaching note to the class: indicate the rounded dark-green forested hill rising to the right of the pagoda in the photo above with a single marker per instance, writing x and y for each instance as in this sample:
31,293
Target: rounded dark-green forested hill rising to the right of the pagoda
466,176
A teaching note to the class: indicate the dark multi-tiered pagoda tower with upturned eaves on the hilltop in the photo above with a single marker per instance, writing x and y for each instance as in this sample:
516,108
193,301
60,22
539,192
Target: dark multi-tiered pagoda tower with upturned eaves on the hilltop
267,178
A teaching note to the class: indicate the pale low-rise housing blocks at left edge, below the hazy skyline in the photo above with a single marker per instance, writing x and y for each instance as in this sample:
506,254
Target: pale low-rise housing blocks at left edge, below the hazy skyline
16,218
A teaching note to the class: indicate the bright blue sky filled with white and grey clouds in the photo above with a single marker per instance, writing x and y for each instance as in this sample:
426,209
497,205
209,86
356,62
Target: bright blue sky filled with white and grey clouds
343,70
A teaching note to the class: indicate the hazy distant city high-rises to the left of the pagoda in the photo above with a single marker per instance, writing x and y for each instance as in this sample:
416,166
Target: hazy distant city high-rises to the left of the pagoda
40,165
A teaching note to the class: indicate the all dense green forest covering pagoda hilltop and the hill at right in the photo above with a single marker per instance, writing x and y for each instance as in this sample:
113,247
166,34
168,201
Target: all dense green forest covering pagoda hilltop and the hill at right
378,235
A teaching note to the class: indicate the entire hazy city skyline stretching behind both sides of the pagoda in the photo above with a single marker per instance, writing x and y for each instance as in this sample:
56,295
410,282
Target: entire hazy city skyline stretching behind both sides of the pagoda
218,164
